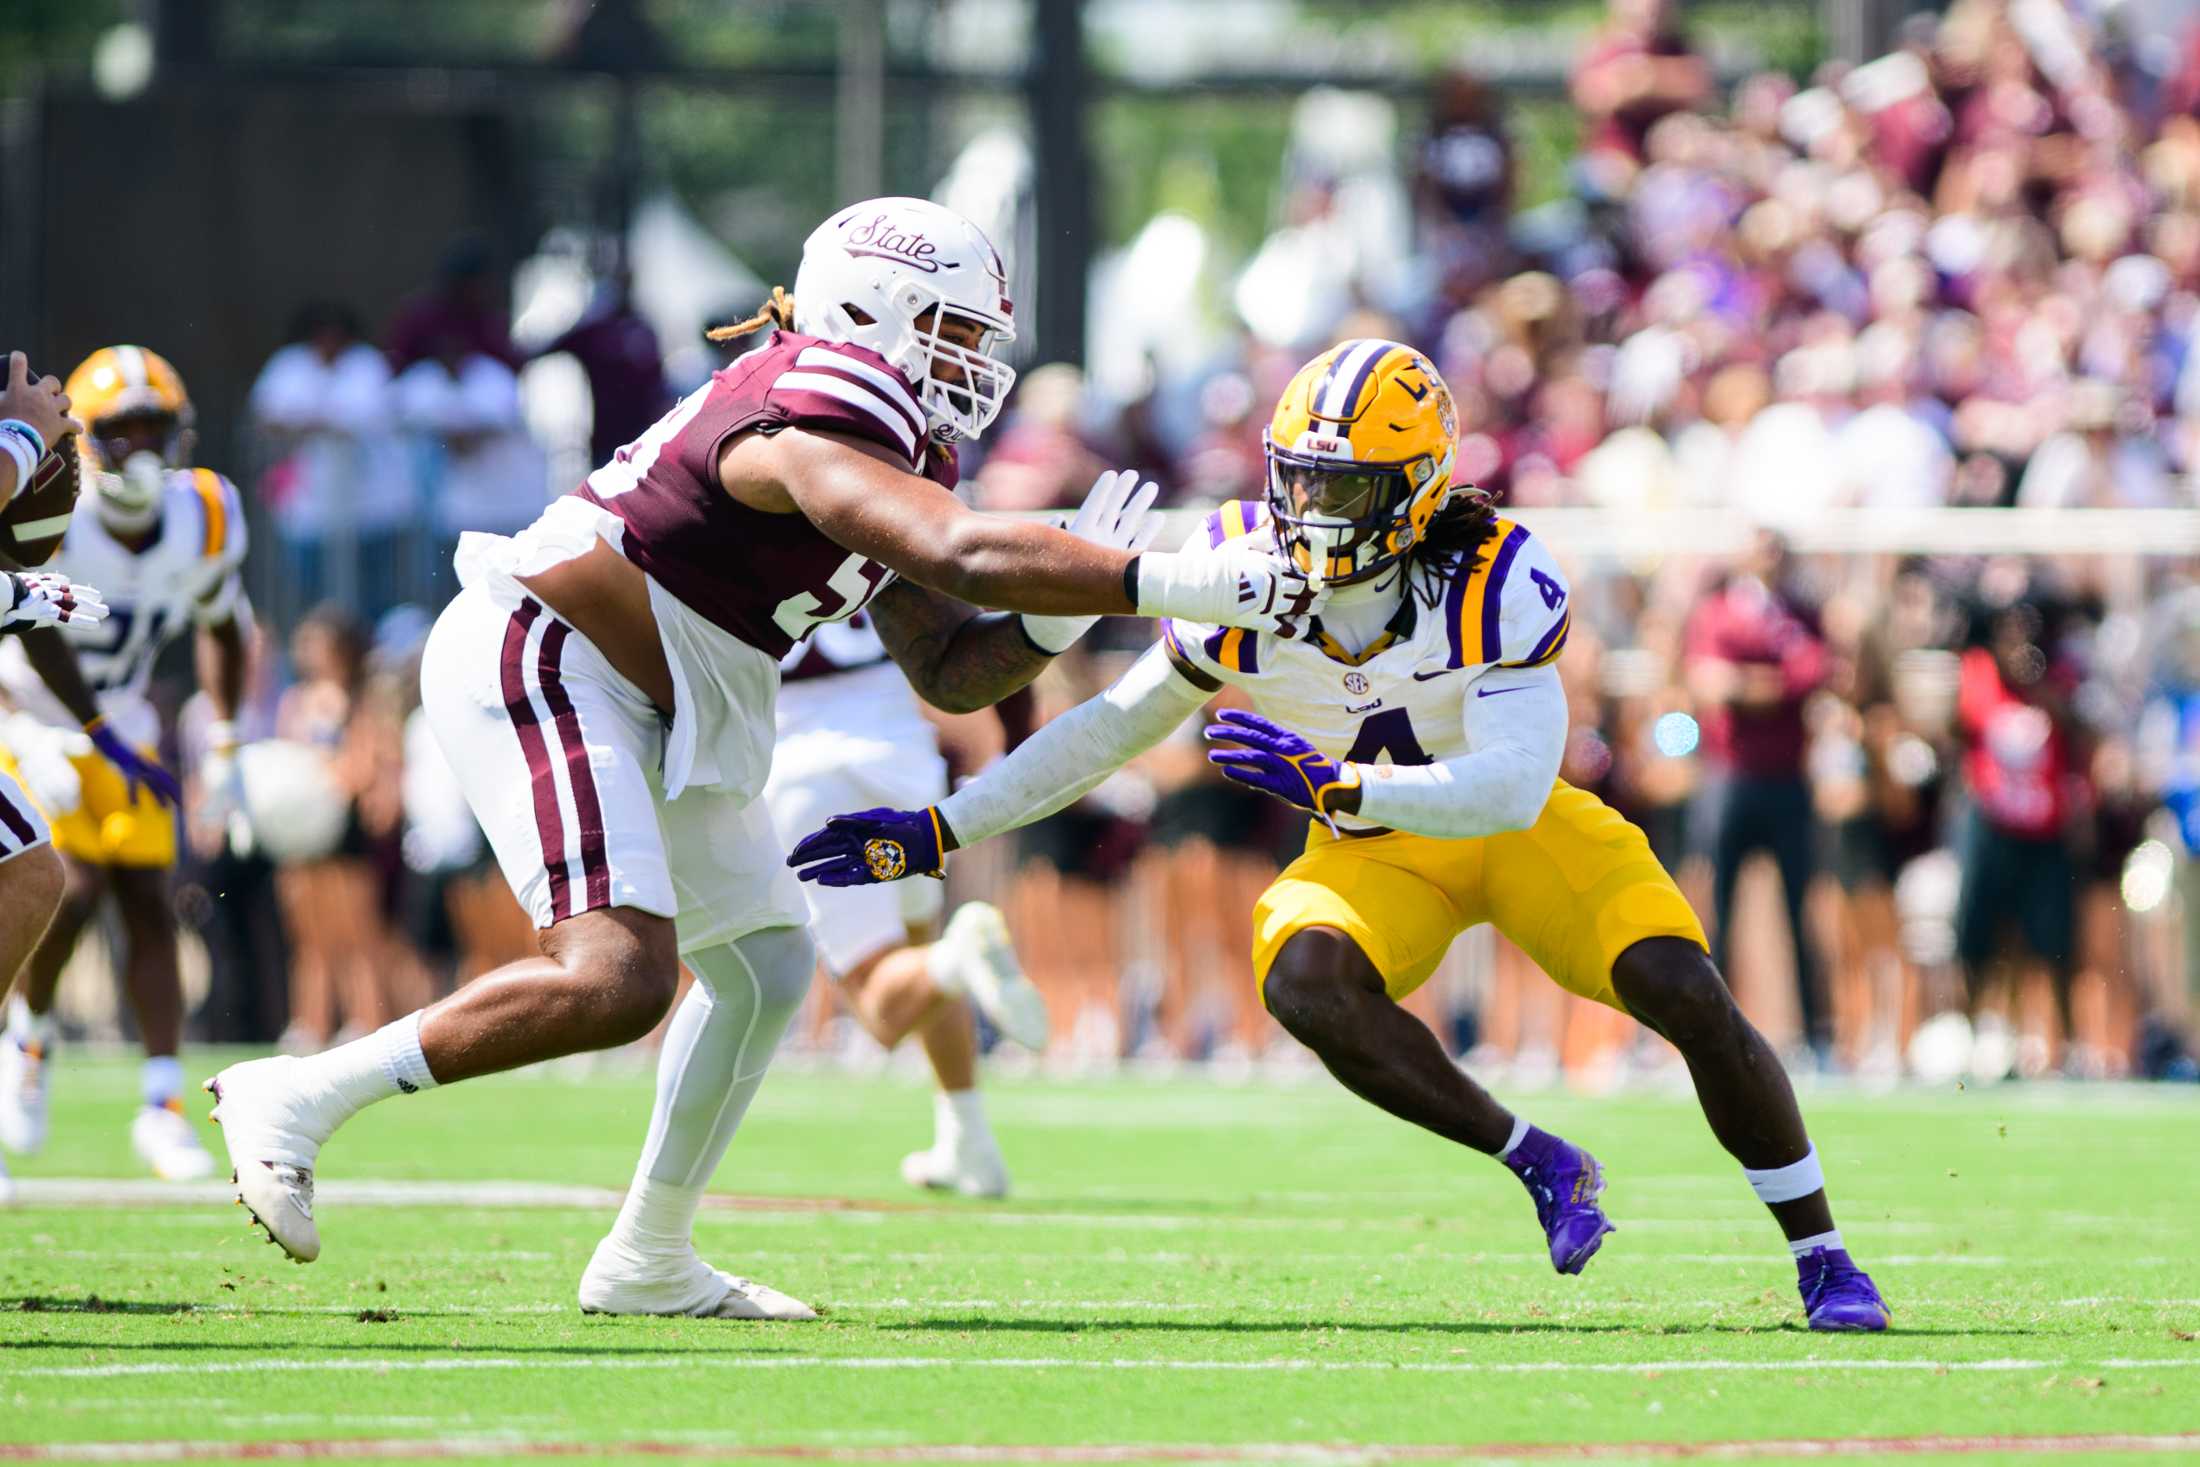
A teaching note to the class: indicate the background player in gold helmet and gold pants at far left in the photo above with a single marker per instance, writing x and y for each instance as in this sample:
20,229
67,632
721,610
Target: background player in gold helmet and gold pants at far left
166,540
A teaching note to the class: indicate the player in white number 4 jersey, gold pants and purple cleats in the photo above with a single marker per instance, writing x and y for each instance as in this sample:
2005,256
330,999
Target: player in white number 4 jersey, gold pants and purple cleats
1422,727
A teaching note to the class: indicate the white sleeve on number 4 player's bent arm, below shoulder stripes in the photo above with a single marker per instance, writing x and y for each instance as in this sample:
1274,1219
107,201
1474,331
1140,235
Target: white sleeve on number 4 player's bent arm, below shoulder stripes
1517,736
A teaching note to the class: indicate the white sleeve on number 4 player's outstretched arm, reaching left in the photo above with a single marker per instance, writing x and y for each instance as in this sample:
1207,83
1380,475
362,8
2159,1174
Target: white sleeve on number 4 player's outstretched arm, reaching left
1075,753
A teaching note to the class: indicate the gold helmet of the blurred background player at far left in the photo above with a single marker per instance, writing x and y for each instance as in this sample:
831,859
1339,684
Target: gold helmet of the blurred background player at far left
137,426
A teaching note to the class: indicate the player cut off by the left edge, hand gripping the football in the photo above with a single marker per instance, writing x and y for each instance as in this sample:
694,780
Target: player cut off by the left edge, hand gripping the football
34,419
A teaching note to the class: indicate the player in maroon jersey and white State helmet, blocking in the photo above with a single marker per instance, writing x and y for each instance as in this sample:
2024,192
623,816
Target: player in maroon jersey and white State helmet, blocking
604,687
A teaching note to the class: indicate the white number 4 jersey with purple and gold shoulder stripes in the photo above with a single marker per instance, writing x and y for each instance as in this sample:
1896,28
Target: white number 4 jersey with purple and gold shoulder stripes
1400,698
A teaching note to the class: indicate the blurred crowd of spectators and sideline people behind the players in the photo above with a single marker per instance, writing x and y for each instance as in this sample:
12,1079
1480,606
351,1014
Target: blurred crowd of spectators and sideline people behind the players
1941,810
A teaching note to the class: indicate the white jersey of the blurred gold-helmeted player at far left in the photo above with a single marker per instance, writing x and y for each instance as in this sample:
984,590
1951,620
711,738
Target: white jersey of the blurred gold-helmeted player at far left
186,577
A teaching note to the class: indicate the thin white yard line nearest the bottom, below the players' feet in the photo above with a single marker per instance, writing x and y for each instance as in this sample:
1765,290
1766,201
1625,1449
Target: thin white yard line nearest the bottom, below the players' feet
1064,1363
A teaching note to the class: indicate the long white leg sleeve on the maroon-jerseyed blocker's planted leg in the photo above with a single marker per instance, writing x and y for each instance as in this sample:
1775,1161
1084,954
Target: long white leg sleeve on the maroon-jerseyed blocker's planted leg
714,1059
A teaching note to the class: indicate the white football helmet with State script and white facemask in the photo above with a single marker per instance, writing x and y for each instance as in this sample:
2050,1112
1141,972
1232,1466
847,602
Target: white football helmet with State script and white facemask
885,274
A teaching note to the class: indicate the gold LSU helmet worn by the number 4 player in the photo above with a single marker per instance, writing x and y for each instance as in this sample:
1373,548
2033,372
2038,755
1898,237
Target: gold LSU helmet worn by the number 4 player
1361,459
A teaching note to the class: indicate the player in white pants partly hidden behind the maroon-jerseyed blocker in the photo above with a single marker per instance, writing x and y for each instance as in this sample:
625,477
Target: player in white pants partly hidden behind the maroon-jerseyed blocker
850,733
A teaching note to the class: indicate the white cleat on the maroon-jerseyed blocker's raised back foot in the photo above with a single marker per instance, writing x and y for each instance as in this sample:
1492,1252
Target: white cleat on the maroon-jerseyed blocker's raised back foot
274,1129
